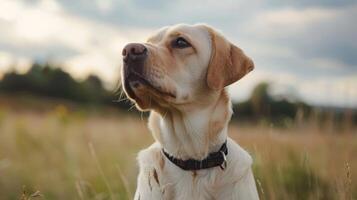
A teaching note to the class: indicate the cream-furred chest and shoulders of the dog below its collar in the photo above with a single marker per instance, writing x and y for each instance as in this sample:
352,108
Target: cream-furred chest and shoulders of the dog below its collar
159,178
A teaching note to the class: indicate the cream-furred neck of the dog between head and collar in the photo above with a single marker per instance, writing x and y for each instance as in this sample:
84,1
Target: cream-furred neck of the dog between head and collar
193,133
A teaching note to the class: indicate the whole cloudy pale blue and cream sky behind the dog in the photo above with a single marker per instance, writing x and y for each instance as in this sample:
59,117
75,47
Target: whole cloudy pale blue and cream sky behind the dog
306,48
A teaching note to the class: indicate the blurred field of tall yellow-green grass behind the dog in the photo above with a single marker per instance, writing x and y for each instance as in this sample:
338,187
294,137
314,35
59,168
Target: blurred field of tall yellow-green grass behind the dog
91,155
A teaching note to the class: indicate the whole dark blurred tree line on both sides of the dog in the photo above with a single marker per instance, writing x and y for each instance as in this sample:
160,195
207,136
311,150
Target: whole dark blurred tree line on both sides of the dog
50,81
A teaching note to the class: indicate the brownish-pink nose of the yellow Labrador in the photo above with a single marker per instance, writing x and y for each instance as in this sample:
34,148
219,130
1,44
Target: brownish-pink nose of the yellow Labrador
134,52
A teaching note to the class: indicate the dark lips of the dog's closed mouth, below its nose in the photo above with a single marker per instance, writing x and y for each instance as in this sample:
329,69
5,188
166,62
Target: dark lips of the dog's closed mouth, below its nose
134,80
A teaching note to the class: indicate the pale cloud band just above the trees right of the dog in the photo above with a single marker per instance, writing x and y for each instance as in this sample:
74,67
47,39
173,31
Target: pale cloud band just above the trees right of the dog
335,91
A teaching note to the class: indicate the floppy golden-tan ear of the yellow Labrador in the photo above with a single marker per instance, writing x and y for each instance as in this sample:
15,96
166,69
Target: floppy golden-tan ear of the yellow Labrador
228,63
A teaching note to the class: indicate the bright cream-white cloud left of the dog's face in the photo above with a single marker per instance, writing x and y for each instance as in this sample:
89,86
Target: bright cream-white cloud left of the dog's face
44,30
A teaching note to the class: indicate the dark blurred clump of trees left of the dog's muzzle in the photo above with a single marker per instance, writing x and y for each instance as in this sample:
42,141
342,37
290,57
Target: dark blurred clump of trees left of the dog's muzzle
52,81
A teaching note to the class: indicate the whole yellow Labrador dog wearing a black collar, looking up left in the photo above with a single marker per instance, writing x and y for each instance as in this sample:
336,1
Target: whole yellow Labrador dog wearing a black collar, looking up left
180,75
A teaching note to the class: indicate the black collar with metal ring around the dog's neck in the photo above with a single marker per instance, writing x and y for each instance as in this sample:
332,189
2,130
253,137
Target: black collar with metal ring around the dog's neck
212,160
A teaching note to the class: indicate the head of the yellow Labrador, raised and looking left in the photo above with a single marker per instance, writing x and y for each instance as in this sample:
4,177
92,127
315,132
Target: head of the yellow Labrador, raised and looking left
181,65
